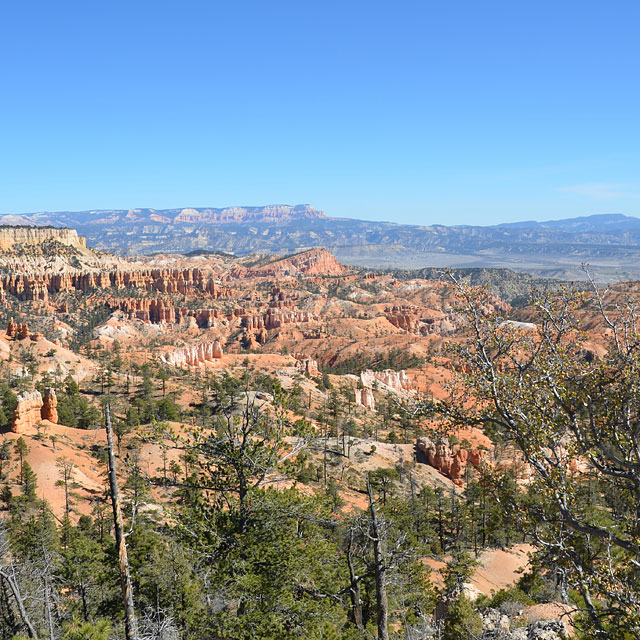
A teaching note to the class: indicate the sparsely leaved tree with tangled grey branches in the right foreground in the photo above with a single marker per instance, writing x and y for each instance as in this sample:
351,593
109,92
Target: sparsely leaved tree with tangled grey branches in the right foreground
572,410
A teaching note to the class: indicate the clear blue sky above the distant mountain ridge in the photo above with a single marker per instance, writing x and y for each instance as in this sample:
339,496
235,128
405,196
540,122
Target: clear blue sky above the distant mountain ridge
418,112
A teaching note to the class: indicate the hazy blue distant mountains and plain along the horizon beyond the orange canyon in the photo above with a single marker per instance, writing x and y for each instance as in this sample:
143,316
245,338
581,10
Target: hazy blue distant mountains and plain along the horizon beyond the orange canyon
610,243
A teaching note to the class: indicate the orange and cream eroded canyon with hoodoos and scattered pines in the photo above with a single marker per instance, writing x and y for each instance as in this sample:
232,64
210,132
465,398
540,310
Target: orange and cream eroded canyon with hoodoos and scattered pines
336,356
